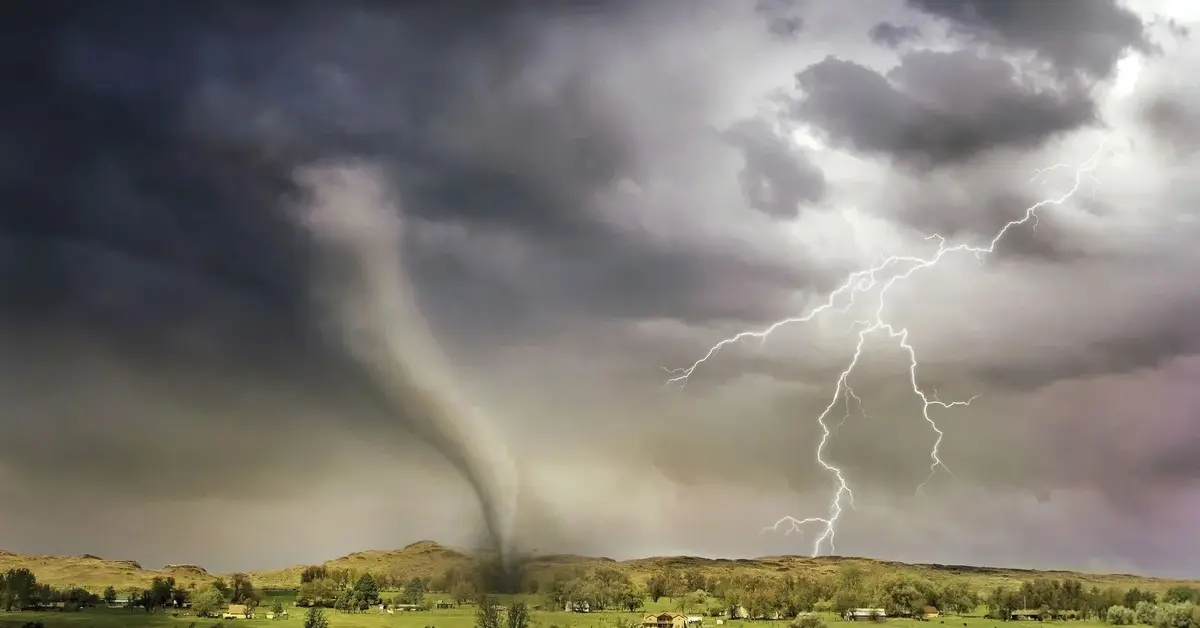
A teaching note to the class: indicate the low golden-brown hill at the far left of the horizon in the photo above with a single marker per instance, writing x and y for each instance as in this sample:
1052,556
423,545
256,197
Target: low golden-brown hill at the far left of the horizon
95,573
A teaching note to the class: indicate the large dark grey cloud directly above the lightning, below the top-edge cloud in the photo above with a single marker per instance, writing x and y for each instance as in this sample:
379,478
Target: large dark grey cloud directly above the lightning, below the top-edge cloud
937,109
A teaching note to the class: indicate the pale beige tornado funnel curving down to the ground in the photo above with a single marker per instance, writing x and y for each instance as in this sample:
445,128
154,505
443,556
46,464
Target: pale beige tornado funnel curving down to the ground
363,288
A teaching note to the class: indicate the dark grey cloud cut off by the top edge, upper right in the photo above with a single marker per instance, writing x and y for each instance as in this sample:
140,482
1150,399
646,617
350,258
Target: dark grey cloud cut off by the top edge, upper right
1085,37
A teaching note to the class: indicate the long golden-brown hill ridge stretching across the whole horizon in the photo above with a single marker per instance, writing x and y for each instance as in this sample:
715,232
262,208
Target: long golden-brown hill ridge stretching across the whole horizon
430,559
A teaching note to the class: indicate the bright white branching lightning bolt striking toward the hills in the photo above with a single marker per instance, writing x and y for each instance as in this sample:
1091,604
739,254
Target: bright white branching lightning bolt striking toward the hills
884,277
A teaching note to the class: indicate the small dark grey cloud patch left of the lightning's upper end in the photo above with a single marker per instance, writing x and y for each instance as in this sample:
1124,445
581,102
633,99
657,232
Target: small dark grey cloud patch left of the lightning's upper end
778,178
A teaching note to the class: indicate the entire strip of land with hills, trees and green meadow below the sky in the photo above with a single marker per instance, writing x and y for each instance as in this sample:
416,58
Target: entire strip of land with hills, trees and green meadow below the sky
430,587
